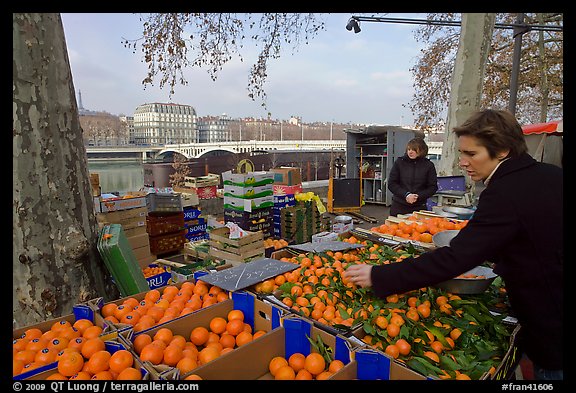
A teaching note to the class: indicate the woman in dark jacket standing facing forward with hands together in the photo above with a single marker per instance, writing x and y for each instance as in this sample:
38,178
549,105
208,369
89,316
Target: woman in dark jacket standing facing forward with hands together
412,179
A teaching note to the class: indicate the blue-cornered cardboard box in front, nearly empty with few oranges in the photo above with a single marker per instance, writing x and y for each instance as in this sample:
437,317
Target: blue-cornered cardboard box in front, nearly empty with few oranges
251,361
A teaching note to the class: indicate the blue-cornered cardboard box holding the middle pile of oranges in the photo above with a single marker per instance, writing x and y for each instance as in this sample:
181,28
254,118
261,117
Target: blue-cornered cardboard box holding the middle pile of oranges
257,313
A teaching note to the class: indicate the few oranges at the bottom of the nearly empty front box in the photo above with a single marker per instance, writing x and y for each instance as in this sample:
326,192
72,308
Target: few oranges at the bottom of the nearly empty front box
303,367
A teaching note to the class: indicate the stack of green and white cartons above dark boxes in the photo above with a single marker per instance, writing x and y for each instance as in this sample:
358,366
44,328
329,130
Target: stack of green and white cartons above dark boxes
248,200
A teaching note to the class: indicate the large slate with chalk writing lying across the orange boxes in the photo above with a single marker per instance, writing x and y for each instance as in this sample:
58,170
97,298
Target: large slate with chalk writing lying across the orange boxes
247,274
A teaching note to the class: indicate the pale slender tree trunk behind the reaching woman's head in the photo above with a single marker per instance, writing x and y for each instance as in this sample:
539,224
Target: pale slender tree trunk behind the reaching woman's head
466,89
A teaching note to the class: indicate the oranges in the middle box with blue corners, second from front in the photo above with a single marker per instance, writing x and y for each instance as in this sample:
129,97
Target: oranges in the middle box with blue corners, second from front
203,344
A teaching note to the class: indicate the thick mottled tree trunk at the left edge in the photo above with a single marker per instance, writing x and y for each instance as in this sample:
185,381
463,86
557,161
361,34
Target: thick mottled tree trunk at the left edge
55,261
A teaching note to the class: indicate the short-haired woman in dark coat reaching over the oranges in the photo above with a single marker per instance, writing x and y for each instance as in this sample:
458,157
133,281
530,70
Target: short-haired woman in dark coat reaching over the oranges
518,225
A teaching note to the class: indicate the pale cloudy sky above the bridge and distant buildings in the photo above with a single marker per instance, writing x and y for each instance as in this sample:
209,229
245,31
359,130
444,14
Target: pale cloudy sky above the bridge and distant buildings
339,76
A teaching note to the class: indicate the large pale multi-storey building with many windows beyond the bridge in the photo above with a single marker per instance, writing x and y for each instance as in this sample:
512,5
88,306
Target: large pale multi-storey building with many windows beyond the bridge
162,123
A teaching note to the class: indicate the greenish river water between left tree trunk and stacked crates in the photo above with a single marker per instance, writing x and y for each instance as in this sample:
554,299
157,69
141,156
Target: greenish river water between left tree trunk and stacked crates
121,176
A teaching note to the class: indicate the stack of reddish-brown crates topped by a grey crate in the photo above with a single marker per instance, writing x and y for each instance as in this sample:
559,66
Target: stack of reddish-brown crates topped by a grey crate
165,223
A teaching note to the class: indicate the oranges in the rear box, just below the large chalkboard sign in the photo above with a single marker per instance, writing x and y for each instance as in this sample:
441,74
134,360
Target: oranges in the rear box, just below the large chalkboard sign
164,304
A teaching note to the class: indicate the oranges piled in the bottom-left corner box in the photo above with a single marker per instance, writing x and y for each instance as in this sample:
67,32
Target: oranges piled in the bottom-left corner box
78,350
